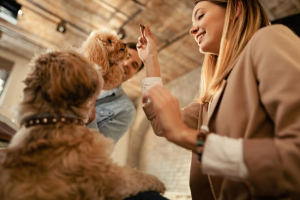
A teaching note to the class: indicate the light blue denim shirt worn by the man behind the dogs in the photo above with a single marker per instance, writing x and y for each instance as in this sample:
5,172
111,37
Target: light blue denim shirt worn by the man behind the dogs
114,113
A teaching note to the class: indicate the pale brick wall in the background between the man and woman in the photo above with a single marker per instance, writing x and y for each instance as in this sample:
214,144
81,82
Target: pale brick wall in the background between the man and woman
155,155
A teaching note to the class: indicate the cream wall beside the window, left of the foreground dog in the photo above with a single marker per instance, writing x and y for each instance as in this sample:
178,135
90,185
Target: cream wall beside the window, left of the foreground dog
13,88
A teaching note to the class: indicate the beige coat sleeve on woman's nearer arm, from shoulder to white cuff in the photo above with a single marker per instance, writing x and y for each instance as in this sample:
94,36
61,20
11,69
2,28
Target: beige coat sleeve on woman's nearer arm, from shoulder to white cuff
274,164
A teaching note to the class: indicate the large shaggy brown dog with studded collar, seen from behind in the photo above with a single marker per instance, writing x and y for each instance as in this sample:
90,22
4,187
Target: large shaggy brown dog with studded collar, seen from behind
54,156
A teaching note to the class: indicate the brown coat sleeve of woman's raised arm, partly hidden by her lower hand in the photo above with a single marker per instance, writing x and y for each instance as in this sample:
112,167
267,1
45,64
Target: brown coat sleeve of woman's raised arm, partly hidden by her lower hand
190,115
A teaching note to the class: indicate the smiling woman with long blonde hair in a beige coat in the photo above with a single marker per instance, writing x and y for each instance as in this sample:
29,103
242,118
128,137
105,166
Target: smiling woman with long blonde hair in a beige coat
249,100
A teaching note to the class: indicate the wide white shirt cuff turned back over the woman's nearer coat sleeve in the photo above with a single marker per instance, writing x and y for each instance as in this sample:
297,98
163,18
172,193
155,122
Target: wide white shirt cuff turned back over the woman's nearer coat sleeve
223,156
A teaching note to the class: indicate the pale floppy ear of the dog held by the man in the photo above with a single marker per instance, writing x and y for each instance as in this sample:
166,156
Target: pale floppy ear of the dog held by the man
94,49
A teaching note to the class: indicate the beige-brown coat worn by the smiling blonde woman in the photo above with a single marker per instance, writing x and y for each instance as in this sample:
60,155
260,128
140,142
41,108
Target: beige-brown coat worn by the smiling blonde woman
259,102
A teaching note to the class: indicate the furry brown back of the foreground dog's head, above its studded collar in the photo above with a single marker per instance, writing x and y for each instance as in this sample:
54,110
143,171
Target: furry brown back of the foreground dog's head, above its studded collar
61,80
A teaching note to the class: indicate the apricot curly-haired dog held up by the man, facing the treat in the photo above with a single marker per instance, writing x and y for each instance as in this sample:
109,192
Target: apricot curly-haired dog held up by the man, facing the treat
104,48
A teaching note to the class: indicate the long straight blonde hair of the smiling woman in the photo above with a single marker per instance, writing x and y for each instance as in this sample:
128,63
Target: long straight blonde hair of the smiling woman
236,34
